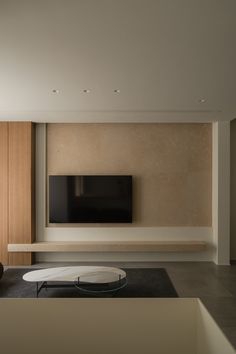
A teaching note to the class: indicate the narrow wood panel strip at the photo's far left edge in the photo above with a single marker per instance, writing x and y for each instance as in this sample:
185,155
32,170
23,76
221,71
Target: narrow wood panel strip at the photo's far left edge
3,192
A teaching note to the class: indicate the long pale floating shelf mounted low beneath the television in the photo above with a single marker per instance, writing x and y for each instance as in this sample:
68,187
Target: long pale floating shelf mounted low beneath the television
110,246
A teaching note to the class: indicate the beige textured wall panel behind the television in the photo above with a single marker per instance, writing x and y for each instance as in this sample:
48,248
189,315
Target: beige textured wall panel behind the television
171,165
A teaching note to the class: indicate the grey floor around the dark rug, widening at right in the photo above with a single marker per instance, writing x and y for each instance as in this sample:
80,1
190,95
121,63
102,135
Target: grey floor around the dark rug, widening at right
214,285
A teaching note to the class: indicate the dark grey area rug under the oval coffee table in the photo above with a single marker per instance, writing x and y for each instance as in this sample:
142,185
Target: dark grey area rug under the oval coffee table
142,282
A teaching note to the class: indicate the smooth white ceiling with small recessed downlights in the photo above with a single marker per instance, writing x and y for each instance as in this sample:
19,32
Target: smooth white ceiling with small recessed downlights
163,56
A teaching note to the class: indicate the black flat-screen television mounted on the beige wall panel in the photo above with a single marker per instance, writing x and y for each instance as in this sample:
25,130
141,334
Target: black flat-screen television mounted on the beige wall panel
90,199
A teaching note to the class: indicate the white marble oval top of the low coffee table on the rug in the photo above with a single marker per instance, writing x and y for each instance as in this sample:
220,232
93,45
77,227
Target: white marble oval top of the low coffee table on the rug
89,274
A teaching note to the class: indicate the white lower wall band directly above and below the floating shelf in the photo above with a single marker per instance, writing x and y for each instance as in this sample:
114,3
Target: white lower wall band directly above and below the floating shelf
127,234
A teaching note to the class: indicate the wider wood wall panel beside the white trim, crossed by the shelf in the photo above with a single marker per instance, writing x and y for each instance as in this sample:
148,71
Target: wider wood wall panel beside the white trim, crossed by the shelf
21,189
